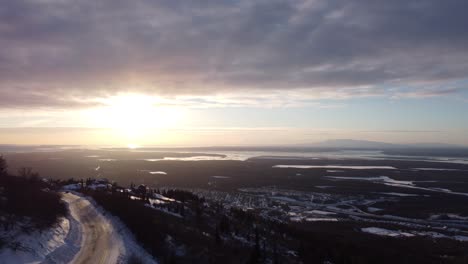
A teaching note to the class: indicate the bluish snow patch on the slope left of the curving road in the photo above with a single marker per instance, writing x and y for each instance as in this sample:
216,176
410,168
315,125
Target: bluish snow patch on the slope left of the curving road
32,247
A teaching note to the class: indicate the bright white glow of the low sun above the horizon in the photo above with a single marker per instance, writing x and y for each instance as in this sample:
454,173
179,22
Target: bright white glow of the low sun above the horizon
135,117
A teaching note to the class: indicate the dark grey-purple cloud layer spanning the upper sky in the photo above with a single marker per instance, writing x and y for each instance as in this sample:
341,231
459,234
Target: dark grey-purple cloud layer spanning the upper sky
53,51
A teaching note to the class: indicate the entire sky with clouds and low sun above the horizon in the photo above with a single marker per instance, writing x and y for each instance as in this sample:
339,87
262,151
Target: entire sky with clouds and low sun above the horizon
227,72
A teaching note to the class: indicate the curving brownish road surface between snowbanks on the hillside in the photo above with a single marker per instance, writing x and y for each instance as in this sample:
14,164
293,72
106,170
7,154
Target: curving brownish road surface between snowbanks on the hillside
101,244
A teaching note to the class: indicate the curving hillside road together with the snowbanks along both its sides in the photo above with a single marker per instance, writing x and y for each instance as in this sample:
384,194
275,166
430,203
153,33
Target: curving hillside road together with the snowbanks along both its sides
89,234
